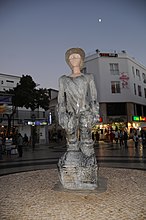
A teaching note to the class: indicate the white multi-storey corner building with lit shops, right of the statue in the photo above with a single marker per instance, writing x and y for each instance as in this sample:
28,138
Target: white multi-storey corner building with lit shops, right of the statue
121,87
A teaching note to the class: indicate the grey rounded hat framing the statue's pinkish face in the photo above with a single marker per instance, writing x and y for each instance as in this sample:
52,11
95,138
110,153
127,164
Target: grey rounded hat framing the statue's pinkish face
75,50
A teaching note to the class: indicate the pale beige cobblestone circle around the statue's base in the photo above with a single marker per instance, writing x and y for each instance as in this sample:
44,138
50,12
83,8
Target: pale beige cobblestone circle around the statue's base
36,195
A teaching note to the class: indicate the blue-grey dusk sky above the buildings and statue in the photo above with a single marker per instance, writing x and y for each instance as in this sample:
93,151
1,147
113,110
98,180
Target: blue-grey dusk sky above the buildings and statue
35,34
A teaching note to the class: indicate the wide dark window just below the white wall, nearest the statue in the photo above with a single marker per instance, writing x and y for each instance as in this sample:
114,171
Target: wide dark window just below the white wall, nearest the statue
116,109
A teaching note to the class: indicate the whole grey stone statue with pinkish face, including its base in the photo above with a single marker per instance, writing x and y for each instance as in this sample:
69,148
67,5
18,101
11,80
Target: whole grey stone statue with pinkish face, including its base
78,111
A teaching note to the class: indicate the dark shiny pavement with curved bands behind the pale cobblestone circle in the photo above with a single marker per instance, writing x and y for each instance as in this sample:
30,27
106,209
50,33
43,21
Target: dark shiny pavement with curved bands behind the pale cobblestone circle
47,156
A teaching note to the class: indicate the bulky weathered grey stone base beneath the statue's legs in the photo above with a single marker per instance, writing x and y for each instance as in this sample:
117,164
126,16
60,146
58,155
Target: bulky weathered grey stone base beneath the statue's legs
77,171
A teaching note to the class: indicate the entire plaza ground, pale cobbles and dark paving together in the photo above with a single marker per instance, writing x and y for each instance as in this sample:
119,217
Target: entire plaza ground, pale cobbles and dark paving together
38,195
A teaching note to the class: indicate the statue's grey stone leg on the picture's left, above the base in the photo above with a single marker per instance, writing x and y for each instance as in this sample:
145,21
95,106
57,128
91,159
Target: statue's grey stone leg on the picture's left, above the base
72,132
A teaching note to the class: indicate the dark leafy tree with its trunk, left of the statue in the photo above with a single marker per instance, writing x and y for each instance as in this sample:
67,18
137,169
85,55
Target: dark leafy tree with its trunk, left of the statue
26,95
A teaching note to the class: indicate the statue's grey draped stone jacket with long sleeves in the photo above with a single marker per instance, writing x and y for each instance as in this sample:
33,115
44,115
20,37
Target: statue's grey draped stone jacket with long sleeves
77,95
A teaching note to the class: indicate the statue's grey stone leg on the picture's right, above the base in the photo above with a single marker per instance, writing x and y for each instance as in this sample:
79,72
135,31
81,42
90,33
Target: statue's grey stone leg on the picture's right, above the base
85,125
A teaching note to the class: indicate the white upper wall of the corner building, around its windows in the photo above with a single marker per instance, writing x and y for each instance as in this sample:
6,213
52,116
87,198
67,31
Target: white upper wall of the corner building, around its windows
99,66
